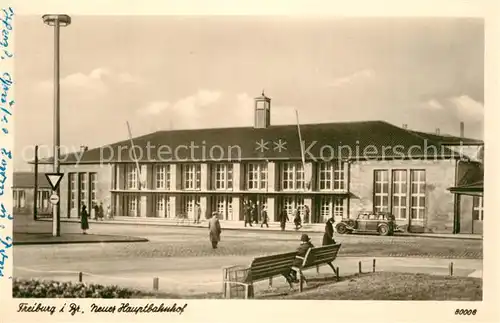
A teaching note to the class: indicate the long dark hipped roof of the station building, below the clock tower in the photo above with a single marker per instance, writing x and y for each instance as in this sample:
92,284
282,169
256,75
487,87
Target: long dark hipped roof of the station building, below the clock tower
371,139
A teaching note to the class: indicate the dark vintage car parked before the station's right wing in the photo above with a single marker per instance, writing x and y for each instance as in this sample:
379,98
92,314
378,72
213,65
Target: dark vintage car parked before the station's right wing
382,223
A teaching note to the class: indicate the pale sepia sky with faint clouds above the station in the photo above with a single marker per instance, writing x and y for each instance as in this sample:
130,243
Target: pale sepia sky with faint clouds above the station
167,72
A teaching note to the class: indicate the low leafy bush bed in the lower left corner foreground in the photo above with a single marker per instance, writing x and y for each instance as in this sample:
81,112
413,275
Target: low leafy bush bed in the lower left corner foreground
23,288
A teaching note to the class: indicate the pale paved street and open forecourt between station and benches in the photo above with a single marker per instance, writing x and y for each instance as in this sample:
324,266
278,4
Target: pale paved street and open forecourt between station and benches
185,263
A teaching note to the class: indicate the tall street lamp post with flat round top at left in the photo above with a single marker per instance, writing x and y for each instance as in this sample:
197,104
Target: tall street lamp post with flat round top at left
56,21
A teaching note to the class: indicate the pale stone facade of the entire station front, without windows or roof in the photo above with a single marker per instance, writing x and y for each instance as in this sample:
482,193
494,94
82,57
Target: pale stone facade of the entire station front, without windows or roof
359,187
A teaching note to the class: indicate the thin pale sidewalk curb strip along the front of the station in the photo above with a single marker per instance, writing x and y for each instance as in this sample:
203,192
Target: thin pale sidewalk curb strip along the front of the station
120,222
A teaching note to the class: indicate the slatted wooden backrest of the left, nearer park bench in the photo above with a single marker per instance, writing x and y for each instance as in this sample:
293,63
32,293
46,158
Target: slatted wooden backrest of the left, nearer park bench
270,266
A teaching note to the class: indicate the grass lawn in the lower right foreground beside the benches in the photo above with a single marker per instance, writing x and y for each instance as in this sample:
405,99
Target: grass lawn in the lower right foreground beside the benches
394,286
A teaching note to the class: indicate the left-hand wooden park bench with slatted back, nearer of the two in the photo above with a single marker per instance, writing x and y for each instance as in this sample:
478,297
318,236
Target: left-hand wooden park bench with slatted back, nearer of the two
261,268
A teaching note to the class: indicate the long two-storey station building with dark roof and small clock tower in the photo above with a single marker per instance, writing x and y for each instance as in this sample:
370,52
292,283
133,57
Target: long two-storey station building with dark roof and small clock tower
349,167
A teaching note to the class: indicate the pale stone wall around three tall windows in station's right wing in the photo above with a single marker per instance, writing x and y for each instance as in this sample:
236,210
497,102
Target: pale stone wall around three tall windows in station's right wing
439,202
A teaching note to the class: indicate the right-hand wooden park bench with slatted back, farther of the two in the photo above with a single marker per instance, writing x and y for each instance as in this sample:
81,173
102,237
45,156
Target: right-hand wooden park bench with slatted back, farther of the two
316,257
